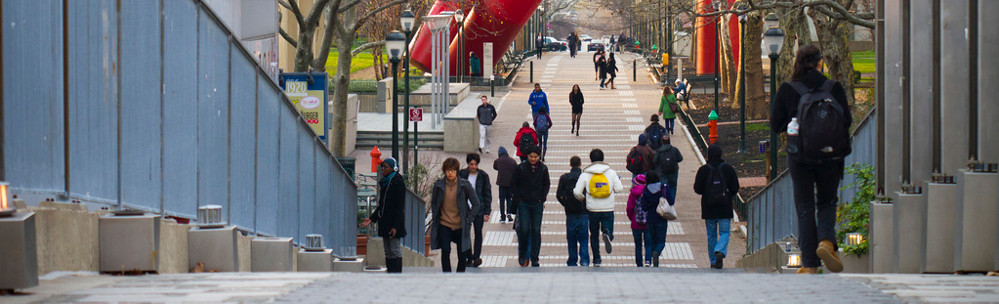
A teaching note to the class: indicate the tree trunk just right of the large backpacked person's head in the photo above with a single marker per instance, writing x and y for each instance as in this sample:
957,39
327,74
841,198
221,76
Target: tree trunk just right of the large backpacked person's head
834,40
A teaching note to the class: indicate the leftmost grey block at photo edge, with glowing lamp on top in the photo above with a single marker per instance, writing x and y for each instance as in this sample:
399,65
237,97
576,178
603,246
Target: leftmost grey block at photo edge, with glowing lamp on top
18,253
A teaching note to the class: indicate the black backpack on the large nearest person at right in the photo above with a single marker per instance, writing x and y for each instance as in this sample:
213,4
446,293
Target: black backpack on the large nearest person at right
821,121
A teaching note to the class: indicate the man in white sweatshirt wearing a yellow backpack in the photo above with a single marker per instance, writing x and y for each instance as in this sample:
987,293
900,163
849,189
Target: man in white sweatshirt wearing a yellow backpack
597,184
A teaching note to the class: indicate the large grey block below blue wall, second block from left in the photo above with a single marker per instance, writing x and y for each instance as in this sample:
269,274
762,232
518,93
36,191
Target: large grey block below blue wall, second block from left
129,243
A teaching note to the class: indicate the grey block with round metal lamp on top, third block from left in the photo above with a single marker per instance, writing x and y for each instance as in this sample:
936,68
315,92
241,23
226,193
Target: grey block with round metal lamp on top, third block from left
215,247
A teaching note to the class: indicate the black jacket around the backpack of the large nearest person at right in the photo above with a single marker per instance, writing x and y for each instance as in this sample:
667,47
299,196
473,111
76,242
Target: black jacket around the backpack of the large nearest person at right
788,99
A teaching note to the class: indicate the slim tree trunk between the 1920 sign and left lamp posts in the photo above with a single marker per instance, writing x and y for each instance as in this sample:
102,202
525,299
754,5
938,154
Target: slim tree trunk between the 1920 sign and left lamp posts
340,84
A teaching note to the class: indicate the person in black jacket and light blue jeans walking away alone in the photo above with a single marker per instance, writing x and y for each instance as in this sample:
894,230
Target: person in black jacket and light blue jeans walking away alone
717,183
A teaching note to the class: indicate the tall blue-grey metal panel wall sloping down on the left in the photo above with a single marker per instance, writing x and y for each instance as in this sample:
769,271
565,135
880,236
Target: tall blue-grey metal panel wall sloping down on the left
155,105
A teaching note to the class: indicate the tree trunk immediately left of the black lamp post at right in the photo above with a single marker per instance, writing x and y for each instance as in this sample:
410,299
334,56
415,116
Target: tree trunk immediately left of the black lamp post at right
757,104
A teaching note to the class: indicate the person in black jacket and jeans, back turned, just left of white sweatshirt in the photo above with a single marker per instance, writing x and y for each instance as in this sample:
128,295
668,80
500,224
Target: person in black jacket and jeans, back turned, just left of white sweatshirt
577,221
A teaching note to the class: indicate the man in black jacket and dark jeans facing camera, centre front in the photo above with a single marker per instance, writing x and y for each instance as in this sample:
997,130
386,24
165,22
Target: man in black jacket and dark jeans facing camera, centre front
531,185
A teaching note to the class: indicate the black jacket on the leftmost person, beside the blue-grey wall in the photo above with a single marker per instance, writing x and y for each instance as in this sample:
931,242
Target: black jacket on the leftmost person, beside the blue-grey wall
391,206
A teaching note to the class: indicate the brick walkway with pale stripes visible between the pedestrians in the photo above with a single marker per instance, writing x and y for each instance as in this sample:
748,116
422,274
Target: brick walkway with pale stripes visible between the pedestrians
611,121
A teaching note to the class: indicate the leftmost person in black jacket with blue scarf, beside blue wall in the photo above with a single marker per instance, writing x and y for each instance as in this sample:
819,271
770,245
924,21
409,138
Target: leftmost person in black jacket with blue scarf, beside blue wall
390,213
